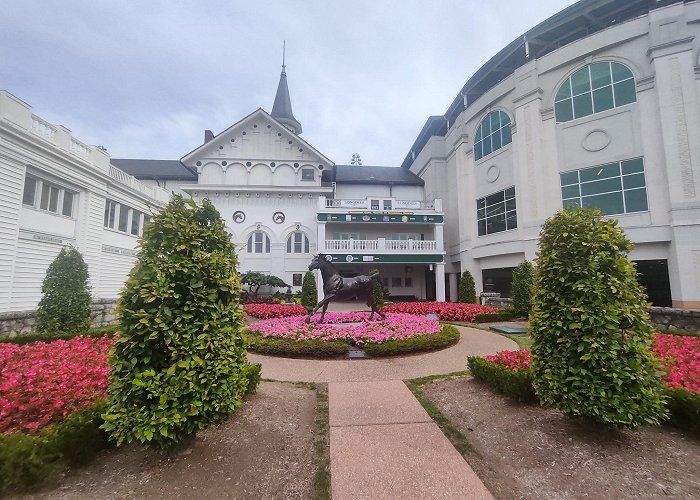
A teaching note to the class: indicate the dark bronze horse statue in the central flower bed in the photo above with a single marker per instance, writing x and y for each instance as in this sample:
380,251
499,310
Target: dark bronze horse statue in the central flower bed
335,287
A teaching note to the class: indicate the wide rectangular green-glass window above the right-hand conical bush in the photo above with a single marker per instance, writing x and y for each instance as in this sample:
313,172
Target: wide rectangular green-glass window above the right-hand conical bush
613,188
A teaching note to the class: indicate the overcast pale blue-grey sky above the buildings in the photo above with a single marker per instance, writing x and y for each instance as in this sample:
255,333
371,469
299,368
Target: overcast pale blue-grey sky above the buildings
145,78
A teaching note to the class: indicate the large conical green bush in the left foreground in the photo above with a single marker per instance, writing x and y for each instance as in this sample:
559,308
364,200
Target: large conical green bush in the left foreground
178,363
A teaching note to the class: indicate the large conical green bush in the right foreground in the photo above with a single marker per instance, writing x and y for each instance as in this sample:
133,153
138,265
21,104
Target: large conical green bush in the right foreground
590,326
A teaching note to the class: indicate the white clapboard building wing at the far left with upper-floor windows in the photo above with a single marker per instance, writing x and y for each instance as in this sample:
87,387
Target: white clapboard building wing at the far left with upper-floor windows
54,191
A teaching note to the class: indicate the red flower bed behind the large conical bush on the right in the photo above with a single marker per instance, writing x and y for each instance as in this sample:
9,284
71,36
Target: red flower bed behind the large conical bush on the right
680,356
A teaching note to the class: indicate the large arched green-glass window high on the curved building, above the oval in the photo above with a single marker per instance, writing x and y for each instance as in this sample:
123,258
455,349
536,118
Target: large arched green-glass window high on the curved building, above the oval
594,88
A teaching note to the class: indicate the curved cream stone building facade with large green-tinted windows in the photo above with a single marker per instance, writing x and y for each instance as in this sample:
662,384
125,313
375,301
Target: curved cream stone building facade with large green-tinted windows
652,134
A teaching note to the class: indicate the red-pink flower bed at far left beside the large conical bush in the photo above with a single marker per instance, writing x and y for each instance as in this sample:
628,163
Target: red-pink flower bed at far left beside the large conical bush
41,383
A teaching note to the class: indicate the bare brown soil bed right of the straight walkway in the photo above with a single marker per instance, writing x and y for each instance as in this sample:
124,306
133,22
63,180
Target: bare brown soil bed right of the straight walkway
526,451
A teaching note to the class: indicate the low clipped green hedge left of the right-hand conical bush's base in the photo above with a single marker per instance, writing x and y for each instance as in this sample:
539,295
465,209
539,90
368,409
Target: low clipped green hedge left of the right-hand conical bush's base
506,381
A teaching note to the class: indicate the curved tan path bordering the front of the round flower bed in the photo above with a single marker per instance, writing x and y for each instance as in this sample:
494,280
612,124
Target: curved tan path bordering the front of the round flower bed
472,342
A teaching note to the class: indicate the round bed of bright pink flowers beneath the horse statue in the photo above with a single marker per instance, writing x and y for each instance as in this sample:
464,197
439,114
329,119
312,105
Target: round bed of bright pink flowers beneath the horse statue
396,326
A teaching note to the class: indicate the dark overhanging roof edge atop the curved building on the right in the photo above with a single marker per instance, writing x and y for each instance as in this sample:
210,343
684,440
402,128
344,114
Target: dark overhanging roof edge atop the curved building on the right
569,25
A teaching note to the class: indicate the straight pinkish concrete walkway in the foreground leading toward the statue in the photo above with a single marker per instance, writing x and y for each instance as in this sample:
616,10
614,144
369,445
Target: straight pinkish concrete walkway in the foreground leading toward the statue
385,446
